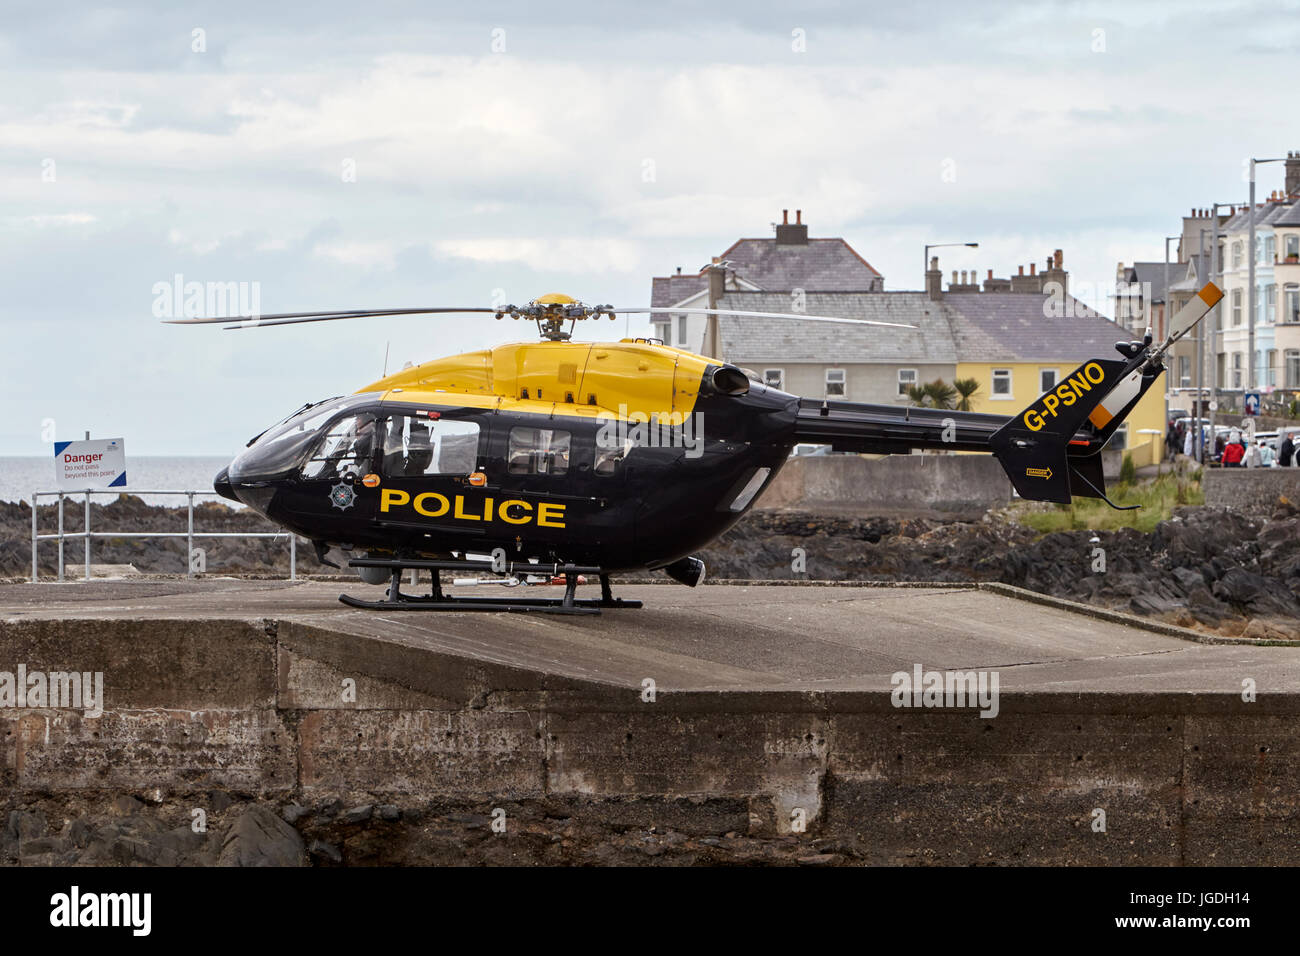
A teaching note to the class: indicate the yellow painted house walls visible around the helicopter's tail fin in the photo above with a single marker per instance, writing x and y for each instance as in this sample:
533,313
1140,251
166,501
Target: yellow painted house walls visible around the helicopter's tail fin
1006,388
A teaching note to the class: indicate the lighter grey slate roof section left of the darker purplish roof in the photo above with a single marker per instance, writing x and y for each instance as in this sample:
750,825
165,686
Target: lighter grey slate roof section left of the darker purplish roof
751,340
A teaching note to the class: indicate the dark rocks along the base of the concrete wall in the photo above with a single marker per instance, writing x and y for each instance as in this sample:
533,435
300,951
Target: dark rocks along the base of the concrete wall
220,829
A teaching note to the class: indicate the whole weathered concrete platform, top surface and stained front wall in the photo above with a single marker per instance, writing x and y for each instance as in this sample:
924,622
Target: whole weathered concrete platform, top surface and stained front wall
772,699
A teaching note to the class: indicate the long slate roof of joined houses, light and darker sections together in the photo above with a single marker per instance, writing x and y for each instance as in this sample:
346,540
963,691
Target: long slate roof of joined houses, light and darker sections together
964,327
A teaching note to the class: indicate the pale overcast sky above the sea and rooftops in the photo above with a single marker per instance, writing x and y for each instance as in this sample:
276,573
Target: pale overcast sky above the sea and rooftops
348,155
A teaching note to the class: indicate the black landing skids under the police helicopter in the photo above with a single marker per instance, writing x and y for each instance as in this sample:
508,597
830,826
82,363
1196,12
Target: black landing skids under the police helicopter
437,602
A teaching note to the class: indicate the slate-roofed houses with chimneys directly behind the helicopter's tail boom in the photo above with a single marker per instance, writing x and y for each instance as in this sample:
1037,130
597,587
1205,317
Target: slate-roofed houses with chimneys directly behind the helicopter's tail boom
1015,336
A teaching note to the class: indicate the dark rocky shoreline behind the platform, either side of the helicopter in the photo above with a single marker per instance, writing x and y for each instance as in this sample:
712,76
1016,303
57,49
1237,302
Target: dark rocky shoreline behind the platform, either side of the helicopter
1208,569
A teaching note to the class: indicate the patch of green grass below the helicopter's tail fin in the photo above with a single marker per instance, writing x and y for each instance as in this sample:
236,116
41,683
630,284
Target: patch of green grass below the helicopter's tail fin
1156,498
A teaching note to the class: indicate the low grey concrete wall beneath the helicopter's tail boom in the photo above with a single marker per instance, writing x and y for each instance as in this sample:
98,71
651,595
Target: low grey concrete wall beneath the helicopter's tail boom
918,486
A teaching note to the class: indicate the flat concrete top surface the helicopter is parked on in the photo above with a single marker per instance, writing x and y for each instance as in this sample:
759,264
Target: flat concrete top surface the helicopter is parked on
730,637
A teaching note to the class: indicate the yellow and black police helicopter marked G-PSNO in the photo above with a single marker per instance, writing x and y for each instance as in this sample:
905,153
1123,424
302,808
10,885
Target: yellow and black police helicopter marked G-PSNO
575,458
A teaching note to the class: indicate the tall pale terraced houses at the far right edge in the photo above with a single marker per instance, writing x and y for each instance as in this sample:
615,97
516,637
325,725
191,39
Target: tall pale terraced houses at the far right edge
1145,299
